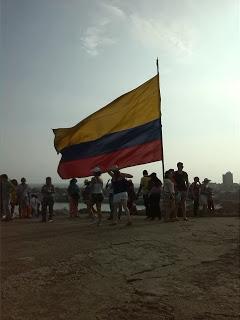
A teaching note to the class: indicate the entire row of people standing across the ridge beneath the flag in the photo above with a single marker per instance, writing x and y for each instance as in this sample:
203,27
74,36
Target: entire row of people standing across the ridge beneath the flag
165,200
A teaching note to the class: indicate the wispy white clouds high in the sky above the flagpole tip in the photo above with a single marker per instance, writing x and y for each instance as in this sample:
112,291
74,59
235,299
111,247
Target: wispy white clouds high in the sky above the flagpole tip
173,37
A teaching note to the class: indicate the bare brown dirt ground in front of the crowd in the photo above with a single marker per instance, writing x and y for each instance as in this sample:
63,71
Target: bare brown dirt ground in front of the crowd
71,270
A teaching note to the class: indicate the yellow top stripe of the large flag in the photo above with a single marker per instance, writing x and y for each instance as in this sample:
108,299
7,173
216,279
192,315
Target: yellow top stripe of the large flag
130,110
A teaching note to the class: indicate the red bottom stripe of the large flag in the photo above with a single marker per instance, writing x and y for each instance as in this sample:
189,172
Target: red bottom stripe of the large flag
128,157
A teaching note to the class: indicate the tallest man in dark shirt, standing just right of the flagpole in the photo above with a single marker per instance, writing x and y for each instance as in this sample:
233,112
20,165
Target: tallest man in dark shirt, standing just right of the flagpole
181,188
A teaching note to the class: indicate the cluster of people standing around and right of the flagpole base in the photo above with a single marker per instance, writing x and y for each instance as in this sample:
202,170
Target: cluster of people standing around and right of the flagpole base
175,191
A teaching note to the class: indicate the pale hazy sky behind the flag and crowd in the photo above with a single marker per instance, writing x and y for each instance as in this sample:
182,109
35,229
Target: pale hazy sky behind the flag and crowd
62,60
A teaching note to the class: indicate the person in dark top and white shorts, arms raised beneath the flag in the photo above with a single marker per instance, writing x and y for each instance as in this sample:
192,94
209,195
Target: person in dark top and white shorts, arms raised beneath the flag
120,195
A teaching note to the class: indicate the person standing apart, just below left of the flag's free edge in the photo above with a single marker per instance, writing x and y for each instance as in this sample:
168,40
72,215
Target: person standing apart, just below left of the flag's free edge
48,192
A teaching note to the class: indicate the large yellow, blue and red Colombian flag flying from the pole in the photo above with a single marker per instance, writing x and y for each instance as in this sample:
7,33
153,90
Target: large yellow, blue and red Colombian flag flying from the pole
126,132
